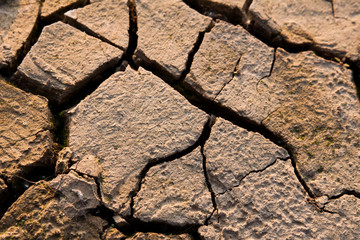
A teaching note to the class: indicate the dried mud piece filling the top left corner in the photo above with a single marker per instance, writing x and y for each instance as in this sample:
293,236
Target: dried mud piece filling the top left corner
14,34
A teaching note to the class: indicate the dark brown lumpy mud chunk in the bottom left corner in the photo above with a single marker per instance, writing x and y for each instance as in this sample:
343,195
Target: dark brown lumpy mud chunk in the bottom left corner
55,210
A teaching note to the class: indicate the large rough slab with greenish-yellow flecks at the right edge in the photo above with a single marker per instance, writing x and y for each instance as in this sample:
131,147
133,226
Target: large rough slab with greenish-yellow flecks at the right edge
319,117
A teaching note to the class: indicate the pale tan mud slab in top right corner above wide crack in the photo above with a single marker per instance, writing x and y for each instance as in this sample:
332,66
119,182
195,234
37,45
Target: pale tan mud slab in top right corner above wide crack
314,22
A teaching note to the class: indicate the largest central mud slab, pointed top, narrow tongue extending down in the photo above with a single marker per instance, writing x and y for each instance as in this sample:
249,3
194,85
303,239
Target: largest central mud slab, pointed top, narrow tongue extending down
132,119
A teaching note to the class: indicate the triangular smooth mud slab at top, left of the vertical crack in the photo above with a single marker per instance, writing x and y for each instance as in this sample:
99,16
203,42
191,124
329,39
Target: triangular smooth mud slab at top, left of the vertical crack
108,19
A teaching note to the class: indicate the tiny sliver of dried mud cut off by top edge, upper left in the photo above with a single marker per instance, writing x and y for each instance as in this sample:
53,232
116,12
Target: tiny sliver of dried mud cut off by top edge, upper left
50,8
